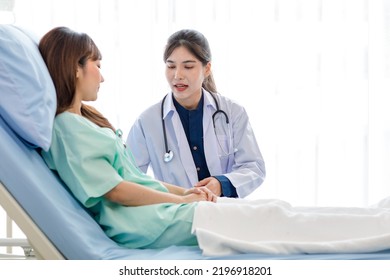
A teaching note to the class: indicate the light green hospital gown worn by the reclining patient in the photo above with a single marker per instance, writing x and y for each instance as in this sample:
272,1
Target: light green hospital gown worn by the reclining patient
91,161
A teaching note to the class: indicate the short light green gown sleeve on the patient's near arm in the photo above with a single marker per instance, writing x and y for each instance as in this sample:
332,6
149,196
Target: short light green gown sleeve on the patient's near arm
84,156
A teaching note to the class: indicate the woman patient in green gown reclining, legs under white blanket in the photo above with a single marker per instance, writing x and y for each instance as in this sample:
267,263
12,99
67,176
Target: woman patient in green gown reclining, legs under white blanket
138,211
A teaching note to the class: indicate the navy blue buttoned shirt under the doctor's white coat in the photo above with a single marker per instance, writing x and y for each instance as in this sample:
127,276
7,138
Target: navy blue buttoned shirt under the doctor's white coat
192,121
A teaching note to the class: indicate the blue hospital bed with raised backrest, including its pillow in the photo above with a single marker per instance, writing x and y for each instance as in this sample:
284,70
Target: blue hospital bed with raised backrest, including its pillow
55,224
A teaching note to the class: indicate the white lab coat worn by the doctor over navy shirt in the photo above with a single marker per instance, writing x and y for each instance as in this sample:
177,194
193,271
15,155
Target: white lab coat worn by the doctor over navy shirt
240,159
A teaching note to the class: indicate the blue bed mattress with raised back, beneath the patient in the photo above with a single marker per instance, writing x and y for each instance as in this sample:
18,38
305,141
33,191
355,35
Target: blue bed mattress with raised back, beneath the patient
69,226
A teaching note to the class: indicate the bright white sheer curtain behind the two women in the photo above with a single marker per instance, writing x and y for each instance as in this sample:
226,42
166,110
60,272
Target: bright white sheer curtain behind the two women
312,74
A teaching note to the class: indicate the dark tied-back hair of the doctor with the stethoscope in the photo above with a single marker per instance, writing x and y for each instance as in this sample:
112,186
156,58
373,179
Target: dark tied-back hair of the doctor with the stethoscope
196,43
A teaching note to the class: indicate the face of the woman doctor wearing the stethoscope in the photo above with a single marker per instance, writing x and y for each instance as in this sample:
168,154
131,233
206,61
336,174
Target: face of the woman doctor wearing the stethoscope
185,74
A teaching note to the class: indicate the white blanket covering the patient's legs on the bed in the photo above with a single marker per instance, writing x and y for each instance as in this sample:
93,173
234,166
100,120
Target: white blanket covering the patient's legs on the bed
233,226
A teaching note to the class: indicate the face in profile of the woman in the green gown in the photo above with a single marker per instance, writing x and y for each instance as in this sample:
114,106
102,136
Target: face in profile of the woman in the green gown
88,80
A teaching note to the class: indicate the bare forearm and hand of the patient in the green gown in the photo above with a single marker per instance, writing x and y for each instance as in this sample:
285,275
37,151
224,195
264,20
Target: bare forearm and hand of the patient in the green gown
132,194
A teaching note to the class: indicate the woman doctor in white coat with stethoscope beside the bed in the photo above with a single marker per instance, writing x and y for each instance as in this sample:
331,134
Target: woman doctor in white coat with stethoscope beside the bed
194,136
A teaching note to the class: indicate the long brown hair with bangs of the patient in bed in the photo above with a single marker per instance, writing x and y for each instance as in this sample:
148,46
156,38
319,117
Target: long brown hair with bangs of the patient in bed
63,50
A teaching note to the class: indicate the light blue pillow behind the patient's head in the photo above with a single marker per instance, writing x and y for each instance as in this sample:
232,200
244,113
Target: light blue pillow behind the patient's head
27,93
